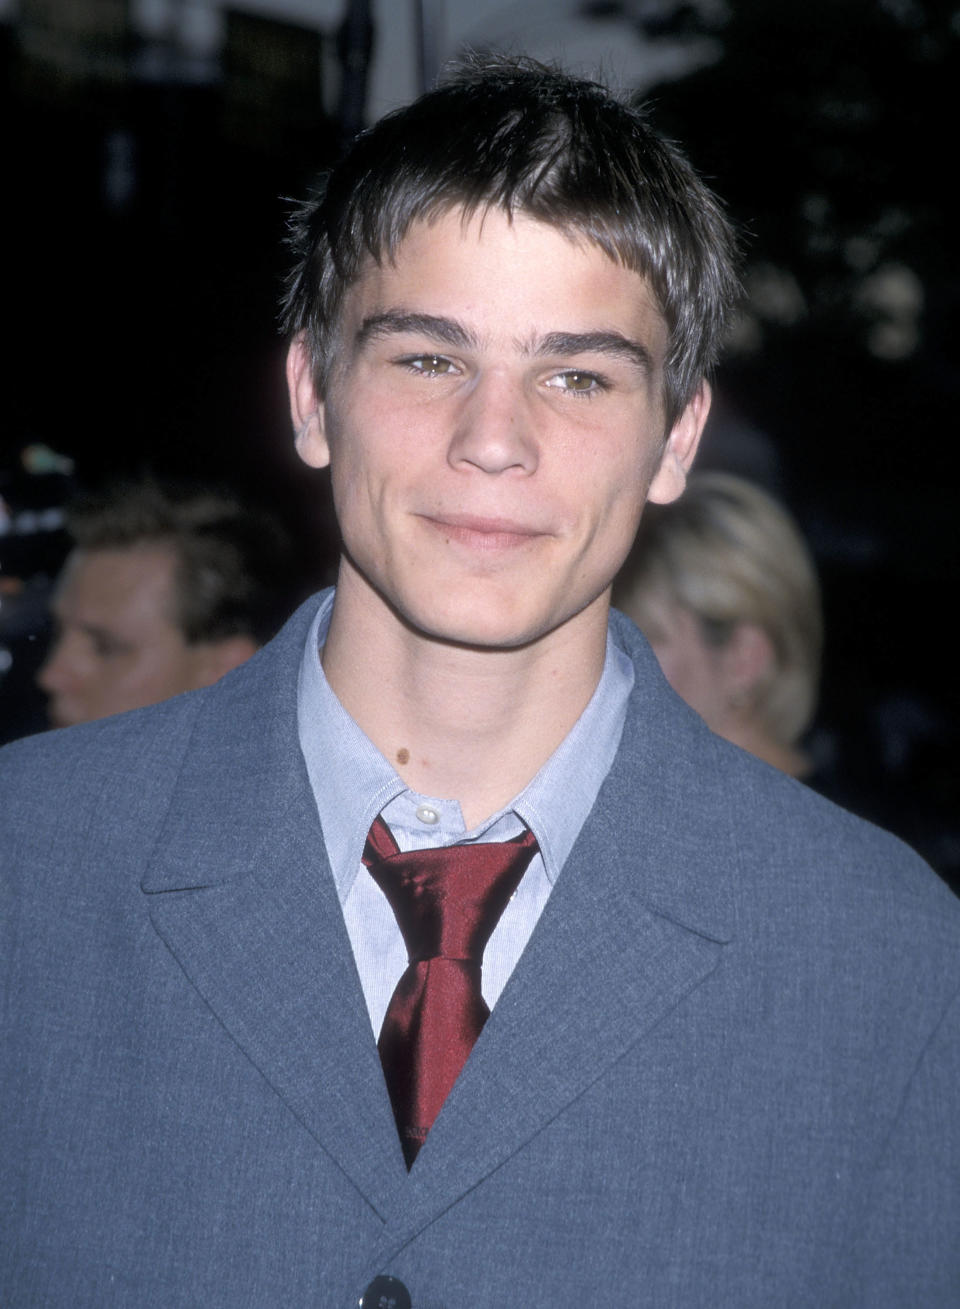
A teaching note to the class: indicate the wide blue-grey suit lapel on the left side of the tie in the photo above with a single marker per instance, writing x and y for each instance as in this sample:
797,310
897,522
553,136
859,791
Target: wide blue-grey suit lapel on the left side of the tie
242,892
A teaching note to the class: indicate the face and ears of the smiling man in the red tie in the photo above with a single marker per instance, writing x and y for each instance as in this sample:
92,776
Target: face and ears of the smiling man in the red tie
494,425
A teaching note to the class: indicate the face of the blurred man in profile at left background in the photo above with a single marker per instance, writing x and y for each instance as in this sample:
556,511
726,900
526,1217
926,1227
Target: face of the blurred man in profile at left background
119,647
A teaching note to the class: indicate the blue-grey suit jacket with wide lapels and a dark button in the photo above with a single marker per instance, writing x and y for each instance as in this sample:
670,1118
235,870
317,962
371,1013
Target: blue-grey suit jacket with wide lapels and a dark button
725,1073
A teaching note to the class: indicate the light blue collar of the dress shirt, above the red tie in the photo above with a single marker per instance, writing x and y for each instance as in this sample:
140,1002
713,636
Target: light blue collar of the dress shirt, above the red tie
362,782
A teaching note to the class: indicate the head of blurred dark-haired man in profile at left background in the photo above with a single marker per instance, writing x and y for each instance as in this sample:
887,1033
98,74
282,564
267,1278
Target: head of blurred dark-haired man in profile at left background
167,590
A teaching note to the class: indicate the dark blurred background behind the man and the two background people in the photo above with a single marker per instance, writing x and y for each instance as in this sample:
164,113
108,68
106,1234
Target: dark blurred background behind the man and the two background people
154,147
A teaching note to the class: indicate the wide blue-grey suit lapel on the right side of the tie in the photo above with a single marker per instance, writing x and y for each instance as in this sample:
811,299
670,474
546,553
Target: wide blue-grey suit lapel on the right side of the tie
637,921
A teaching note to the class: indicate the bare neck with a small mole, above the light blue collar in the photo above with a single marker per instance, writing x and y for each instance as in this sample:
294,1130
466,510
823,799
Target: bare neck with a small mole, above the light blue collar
460,723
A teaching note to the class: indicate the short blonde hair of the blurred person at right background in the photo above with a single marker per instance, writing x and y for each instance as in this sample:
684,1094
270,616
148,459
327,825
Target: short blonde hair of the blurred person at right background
731,554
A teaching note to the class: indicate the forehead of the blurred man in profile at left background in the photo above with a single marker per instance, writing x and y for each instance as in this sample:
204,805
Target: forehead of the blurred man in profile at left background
130,587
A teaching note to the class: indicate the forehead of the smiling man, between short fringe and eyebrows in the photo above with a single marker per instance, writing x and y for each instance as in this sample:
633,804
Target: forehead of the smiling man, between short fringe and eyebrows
508,276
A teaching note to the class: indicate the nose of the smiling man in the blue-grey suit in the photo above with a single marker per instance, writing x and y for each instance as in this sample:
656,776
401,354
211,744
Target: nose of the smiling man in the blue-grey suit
496,429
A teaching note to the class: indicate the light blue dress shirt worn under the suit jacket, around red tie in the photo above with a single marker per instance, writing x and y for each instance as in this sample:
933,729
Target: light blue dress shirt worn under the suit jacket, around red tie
353,782
